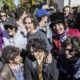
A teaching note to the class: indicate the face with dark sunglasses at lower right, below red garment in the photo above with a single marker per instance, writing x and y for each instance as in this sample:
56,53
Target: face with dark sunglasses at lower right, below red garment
69,52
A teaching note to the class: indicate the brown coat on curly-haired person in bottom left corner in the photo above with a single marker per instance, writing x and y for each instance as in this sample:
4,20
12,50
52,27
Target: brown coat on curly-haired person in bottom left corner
6,73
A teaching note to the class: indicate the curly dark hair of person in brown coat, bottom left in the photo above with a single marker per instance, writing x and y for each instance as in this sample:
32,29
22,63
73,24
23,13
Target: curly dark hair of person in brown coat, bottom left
9,53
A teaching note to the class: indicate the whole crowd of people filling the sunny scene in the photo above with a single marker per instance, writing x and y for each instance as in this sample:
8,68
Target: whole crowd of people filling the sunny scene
43,45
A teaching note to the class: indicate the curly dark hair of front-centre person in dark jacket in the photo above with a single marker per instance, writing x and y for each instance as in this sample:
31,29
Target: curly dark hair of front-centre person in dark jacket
36,44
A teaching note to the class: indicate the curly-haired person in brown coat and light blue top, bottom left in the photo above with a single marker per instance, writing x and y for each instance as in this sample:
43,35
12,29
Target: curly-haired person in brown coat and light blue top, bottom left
13,66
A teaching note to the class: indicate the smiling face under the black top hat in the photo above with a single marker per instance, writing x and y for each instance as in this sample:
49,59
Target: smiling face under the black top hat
59,28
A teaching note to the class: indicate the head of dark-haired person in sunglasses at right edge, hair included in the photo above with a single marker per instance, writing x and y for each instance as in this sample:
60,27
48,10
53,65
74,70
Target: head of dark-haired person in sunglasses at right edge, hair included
71,47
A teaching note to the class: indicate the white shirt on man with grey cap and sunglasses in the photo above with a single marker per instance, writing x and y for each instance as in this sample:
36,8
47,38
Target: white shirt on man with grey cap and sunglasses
18,40
